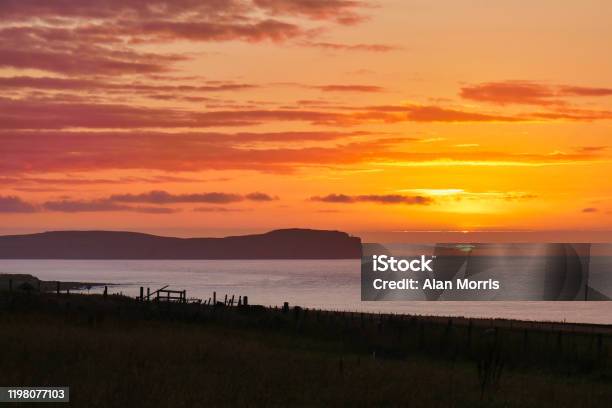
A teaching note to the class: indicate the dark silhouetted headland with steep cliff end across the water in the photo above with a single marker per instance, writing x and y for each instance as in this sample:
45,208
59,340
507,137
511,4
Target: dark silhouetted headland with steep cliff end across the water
279,244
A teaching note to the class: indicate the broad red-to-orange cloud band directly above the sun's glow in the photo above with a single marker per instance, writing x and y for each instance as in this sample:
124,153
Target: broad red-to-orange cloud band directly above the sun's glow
65,151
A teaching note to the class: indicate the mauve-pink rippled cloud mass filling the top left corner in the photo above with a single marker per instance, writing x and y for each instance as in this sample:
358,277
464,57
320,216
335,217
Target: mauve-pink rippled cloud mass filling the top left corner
84,38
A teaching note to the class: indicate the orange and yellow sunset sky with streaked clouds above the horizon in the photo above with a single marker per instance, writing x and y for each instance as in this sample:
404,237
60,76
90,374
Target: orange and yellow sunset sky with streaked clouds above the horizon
387,118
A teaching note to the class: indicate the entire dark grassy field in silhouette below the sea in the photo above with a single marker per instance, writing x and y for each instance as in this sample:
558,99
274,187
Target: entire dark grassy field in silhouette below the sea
122,353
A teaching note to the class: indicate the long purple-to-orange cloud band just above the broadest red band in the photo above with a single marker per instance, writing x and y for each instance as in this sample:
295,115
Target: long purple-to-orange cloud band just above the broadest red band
61,114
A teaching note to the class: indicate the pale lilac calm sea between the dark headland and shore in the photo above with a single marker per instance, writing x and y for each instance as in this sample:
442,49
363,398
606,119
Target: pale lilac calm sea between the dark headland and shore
321,284
